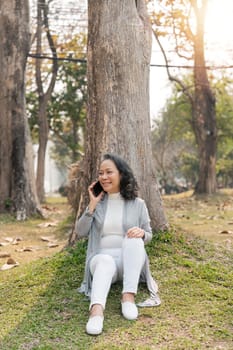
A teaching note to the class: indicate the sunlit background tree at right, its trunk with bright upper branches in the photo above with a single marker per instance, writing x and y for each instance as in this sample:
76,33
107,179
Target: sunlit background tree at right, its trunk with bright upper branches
186,20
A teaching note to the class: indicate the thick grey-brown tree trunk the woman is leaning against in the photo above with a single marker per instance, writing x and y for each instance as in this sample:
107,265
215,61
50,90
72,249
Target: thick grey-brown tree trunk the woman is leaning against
118,120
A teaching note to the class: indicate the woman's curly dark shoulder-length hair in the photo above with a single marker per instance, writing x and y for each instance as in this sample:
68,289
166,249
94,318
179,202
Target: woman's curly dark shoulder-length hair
128,183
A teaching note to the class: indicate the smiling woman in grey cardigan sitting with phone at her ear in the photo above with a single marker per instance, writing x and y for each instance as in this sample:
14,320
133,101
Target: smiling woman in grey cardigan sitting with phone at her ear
118,226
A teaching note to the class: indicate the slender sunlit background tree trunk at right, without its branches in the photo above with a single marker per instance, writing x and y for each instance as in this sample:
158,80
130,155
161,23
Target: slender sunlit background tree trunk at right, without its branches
204,115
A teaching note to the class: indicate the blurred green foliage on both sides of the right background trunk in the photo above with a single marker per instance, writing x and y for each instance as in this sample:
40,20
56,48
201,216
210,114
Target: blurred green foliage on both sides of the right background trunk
173,140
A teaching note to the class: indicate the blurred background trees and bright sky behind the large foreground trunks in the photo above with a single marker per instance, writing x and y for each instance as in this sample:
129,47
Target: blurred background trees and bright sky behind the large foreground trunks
190,150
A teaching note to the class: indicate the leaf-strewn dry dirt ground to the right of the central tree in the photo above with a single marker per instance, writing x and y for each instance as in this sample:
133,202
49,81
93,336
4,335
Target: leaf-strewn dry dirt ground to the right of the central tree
209,217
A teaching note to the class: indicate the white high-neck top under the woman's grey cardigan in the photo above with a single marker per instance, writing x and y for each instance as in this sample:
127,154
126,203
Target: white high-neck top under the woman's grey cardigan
112,235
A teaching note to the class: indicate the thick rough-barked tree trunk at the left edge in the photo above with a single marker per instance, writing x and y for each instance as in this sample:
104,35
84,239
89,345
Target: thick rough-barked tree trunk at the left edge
16,177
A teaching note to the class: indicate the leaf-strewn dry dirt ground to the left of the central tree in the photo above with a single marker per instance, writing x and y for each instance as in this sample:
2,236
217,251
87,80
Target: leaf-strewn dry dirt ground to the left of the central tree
26,241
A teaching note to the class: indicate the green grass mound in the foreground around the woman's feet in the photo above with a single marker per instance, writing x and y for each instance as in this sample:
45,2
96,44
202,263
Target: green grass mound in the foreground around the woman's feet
40,308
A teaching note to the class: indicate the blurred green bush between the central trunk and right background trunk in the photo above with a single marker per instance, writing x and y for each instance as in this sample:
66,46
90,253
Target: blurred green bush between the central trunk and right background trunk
173,144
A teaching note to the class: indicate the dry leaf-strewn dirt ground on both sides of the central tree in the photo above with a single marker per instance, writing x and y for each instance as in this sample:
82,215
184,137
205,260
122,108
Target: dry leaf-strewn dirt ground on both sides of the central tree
22,242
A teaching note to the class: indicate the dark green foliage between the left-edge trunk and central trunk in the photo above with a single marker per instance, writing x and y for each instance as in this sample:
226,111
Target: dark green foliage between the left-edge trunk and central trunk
66,109
